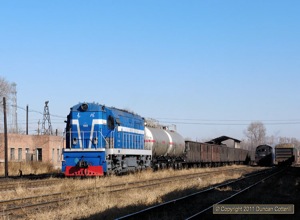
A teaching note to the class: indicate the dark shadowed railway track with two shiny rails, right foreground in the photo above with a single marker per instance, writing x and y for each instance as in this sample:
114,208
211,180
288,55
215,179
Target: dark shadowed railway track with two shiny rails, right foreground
194,205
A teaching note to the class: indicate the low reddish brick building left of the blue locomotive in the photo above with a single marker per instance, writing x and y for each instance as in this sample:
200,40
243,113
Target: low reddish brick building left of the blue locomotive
43,148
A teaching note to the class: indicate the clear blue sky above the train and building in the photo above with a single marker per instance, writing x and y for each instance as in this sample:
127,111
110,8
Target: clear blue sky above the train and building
210,67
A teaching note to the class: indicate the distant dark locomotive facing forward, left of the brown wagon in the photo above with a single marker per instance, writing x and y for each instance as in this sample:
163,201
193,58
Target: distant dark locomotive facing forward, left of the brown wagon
264,155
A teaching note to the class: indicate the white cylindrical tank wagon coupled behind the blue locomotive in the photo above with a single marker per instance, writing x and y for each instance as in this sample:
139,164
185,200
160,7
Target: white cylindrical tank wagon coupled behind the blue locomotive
168,146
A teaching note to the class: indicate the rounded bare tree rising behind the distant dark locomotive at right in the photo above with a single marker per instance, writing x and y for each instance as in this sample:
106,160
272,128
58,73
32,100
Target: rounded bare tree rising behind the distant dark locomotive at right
256,134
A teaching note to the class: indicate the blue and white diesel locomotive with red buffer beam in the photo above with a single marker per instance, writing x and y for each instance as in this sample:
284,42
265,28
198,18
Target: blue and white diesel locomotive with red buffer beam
102,140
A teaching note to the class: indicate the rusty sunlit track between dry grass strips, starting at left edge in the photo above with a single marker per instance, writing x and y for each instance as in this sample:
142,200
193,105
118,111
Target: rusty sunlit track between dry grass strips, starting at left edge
15,207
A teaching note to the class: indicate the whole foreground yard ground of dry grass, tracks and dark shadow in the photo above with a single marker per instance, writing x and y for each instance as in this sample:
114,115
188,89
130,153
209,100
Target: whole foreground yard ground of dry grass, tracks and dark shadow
132,196
